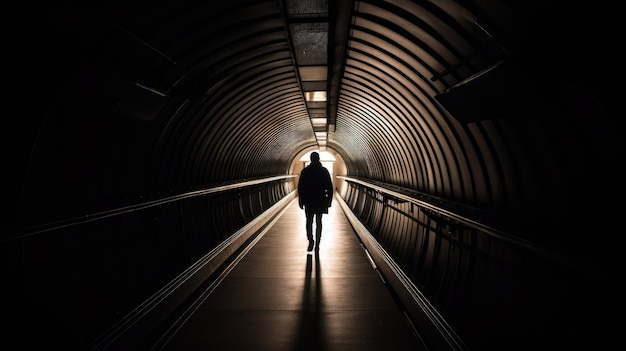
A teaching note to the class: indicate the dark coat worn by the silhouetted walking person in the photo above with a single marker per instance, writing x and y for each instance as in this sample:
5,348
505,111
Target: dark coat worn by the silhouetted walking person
315,188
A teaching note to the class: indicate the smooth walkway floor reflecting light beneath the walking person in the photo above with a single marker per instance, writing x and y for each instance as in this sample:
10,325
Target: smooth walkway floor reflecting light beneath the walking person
279,297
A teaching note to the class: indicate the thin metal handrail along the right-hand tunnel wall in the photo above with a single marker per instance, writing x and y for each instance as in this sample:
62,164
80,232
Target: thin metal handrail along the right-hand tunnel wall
436,205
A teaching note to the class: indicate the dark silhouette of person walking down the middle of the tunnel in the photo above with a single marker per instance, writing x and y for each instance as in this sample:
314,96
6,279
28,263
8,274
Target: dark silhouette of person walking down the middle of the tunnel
315,196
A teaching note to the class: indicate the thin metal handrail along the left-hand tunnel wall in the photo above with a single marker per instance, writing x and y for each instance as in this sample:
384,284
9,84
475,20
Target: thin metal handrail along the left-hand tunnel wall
30,231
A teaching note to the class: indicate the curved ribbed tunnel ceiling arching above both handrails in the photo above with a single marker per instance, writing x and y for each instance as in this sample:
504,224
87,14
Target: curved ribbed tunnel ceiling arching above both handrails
448,98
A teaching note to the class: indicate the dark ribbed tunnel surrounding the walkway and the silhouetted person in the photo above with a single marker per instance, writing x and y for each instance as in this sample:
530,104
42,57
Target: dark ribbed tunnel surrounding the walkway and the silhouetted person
472,146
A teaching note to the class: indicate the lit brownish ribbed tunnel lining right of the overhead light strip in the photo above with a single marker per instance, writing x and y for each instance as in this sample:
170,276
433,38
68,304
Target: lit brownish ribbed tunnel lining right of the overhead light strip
396,48
